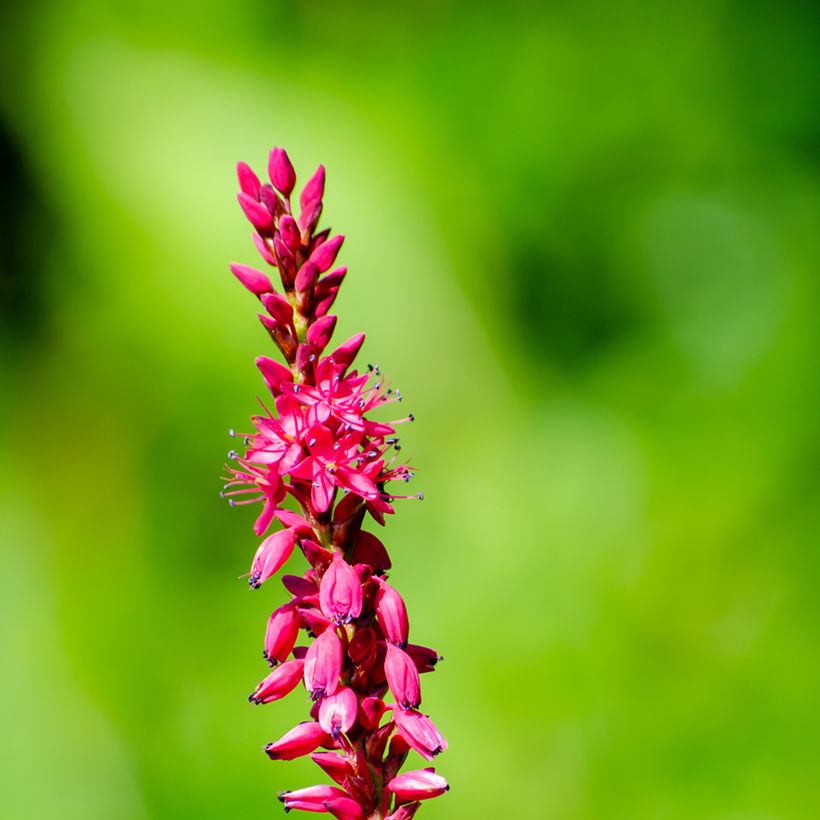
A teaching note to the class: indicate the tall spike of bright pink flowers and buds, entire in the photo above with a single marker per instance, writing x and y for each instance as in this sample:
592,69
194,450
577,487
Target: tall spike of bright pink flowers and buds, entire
320,449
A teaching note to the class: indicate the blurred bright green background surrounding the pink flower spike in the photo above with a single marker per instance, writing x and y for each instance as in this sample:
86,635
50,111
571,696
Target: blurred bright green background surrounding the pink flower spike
583,239
